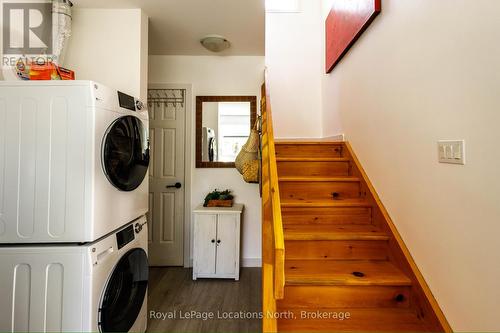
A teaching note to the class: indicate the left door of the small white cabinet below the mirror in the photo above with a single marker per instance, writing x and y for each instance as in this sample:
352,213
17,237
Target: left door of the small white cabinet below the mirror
205,231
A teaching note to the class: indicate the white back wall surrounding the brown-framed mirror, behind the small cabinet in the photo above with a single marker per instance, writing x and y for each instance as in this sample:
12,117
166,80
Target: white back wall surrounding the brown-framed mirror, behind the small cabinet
213,75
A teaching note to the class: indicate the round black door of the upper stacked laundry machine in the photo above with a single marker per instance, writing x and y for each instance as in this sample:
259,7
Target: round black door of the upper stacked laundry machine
126,153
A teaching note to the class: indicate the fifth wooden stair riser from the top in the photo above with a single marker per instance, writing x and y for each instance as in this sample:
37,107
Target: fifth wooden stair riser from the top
337,250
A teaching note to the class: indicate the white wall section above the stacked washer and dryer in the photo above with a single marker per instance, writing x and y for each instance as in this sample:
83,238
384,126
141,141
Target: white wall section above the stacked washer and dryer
110,46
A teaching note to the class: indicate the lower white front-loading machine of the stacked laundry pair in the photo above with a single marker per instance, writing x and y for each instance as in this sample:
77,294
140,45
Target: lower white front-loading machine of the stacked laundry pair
99,287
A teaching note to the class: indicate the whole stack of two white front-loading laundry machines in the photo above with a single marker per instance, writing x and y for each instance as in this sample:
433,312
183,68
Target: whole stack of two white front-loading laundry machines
74,159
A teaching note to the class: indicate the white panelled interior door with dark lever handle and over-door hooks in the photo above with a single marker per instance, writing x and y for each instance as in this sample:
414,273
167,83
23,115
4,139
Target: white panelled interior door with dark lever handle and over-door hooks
166,200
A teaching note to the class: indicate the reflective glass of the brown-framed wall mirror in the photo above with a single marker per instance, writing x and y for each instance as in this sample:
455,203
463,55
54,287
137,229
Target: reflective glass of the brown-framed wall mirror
226,127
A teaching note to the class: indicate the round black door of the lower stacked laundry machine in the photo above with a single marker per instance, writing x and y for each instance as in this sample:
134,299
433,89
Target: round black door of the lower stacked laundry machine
125,292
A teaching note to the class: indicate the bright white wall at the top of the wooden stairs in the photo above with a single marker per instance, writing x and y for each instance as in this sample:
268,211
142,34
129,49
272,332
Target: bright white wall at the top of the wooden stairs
293,60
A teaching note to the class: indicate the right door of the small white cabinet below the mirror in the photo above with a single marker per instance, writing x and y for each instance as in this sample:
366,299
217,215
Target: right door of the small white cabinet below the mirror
227,243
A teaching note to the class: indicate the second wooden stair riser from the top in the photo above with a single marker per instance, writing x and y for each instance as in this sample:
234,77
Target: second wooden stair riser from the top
317,169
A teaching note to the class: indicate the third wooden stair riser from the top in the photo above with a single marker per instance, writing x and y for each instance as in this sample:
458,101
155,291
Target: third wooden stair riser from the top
318,190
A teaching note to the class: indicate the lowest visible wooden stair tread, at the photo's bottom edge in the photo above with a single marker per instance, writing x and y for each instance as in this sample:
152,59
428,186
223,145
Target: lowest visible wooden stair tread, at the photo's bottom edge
360,320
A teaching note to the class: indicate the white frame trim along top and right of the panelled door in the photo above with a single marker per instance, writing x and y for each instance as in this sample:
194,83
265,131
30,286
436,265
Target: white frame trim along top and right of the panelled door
188,119
